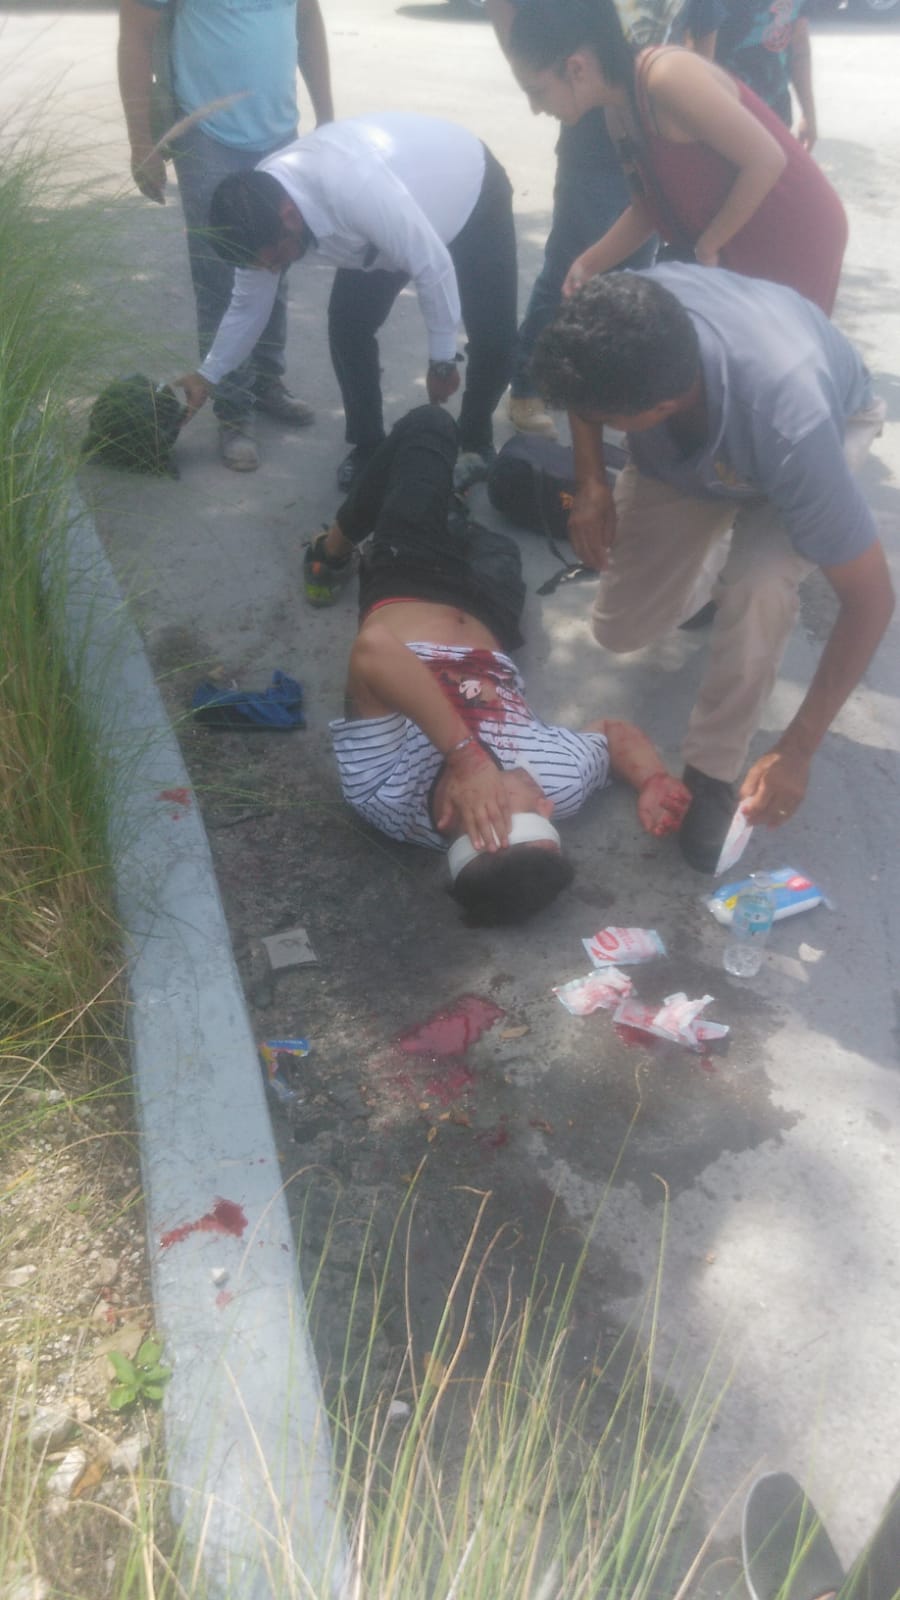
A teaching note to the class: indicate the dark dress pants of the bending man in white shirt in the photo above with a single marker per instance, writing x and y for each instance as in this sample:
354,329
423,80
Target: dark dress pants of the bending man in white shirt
484,257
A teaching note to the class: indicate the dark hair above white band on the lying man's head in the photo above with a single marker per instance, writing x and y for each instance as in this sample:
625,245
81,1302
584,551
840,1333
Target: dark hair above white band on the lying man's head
507,889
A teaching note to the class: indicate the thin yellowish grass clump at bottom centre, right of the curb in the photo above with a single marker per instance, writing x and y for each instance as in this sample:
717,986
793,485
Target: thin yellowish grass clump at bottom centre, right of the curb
518,1471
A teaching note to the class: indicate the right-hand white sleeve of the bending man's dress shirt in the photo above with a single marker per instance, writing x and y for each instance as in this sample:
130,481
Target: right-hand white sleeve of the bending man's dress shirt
379,207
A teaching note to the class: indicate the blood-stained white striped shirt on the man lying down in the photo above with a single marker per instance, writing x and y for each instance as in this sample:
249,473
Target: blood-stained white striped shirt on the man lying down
388,766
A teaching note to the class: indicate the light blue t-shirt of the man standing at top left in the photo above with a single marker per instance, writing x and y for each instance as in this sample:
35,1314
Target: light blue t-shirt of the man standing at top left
238,47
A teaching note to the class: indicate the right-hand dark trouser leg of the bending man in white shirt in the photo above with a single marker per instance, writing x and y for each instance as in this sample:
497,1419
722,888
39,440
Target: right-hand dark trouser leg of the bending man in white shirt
484,257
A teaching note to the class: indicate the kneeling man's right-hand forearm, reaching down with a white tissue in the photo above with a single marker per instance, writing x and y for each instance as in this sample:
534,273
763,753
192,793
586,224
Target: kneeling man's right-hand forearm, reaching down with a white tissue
850,649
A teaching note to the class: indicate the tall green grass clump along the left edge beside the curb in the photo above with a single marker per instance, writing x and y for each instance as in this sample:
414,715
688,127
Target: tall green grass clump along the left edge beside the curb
58,942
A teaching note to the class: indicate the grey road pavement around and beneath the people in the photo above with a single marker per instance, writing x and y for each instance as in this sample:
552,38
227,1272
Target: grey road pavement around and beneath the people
781,1162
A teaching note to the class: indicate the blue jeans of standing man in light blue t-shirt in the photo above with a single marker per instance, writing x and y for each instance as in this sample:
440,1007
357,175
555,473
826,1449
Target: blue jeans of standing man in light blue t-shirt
201,164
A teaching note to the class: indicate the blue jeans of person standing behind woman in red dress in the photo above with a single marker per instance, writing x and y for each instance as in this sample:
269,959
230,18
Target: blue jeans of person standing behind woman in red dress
590,196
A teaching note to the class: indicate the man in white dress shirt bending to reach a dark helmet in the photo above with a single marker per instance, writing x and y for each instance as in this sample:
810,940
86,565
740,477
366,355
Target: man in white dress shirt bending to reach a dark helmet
387,199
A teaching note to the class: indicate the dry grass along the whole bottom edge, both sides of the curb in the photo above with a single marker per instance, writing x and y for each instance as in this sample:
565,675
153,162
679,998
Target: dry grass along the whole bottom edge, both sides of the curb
504,1478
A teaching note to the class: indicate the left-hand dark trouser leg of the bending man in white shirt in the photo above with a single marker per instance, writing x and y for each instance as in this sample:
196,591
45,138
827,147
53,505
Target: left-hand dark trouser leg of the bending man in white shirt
360,305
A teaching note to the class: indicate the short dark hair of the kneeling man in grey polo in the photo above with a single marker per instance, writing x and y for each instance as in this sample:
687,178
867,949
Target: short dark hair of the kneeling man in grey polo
622,345
